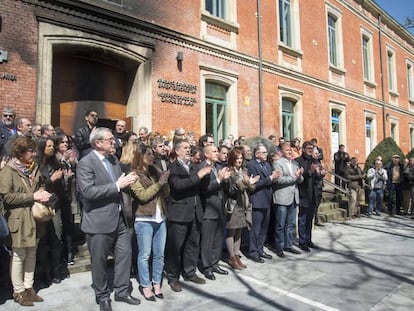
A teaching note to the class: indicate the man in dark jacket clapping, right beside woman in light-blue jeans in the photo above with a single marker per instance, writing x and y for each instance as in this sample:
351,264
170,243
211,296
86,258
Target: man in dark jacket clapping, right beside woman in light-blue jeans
185,215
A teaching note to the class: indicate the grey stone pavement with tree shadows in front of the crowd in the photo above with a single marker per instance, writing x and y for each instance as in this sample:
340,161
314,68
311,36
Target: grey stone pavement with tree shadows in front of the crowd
363,264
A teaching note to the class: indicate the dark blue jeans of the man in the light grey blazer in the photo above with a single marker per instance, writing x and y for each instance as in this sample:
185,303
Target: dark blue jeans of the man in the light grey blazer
285,223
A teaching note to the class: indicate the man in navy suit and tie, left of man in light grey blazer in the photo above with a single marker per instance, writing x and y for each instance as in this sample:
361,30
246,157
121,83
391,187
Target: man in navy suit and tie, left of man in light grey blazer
261,201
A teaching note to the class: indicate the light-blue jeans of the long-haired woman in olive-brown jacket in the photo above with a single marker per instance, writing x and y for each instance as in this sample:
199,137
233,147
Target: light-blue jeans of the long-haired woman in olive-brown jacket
151,237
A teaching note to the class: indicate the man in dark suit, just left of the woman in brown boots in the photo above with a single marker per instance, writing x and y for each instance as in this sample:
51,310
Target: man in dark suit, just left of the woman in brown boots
212,200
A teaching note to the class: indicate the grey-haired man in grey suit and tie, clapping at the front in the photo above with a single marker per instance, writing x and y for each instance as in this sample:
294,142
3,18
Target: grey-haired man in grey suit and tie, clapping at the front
100,181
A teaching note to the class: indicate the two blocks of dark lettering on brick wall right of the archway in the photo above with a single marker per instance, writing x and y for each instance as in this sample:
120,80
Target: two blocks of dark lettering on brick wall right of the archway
181,87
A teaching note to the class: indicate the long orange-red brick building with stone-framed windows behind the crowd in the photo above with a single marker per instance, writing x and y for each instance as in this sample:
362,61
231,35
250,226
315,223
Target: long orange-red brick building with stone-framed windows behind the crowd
338,70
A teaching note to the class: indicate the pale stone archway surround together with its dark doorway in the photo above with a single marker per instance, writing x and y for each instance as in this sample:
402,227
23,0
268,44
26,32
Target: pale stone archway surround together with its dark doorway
77,66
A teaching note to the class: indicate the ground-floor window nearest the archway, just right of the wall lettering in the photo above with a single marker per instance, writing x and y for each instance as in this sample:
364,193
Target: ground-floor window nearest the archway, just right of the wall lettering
216,110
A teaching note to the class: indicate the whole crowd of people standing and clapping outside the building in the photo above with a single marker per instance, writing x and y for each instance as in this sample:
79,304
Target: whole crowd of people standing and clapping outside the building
163,205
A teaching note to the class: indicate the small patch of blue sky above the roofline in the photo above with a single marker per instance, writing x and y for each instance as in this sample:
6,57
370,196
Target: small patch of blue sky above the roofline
399,10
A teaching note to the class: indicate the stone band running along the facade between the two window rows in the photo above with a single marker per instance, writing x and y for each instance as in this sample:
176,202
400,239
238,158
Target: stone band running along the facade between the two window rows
130,25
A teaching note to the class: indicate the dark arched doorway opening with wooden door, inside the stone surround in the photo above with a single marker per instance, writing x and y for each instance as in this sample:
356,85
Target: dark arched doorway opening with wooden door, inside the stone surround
89,78
